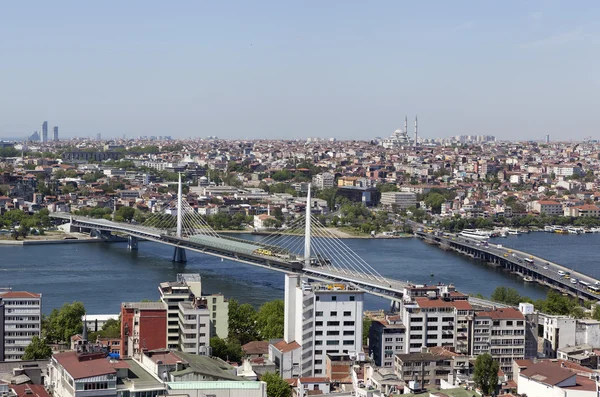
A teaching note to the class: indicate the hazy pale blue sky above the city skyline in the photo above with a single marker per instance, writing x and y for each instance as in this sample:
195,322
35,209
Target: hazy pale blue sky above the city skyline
283,69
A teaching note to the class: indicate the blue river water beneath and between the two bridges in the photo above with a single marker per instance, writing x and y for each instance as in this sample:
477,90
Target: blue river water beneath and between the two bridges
104,275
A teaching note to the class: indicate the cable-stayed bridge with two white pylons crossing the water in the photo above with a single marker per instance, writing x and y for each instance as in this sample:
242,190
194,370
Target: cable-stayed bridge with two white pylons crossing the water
305,247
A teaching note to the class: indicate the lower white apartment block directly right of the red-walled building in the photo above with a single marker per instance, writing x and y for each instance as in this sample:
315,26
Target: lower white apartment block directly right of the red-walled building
194,327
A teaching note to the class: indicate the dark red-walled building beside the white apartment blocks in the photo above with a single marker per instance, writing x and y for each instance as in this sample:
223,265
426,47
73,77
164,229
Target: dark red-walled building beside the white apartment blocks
143,326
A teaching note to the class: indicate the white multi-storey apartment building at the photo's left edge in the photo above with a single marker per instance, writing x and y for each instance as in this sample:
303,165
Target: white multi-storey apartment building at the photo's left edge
20,321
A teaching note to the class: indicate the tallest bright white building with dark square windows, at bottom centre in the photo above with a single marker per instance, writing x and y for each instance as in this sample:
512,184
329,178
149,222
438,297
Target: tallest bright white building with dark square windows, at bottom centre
320,319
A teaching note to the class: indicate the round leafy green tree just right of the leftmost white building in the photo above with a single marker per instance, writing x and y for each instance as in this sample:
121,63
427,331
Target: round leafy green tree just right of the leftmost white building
61,324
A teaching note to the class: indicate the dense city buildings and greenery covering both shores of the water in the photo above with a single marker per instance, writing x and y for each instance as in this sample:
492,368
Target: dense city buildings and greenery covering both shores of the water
319,337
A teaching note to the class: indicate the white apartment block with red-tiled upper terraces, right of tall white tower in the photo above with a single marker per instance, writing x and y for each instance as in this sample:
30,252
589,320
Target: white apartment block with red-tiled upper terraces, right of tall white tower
435,316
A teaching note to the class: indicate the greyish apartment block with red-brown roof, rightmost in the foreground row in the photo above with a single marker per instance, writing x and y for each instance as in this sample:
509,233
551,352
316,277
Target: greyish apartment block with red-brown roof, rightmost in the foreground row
501,333
